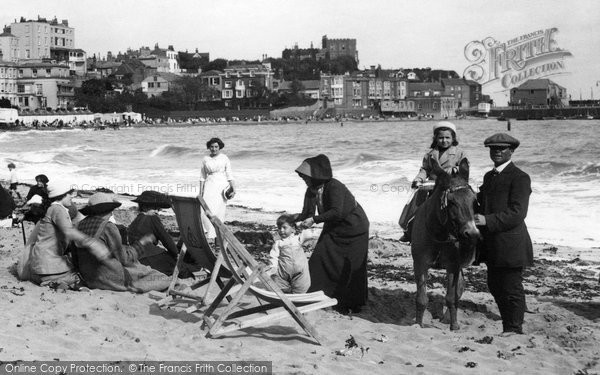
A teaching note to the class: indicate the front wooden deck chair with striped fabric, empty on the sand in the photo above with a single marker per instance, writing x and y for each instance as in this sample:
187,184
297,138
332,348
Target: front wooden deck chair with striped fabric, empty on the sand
245,270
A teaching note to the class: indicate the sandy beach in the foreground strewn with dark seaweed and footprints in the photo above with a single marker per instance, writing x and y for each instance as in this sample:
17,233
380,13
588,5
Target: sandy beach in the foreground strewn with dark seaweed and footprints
562,329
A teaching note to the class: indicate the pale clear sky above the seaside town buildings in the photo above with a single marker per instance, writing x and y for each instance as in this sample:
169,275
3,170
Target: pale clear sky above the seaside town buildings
392,33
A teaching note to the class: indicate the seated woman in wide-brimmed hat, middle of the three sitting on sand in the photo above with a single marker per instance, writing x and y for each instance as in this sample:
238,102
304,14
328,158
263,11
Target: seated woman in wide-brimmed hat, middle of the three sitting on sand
122,271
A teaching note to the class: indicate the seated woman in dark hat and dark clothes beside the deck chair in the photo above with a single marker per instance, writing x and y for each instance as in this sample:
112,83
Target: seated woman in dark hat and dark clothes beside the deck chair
161,258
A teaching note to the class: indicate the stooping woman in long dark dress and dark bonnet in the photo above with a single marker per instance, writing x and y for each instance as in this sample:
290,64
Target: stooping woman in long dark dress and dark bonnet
338,265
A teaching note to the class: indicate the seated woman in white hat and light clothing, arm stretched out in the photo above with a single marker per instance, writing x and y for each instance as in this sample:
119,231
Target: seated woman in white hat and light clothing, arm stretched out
49,264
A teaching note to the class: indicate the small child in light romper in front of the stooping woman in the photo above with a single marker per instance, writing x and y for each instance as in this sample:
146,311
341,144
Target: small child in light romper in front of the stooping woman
289,263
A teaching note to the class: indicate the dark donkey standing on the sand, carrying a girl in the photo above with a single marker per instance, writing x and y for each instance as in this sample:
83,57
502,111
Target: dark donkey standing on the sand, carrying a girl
444,230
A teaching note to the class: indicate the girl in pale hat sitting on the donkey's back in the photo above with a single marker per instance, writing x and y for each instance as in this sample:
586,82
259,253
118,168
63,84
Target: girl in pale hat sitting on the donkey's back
444,155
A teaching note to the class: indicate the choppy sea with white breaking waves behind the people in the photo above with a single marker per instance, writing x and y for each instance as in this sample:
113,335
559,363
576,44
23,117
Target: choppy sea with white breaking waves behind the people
376,160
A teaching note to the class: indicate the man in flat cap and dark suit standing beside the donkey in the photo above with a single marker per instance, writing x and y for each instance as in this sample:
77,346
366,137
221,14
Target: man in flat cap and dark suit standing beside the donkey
504,200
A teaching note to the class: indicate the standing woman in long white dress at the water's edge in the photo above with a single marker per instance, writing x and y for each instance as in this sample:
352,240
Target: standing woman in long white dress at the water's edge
215,177
